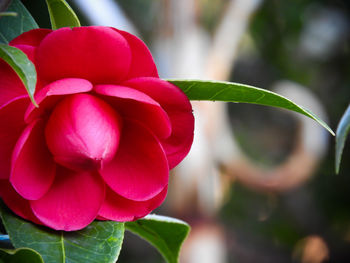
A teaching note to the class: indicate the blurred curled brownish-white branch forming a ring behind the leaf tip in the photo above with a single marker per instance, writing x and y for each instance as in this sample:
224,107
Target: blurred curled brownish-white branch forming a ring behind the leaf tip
310,145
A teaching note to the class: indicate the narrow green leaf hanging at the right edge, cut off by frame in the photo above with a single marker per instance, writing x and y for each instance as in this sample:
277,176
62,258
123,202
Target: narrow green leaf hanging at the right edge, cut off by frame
341,134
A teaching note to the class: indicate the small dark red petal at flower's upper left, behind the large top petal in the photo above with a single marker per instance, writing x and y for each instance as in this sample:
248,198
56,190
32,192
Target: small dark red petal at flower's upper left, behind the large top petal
31,38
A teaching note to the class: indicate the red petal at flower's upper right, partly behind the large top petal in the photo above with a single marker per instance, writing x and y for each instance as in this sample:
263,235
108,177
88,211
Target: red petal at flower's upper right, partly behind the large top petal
142,63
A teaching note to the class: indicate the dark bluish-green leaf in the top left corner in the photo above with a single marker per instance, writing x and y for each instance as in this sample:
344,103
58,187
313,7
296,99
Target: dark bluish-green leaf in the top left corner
12,26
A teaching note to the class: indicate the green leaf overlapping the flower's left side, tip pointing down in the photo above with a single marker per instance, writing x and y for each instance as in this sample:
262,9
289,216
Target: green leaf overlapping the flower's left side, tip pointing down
24,68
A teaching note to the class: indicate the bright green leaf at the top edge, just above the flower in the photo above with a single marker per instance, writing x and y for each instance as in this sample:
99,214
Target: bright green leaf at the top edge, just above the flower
61,14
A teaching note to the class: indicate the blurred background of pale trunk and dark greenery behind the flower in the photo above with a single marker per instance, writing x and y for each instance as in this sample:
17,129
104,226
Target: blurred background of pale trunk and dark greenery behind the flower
259,184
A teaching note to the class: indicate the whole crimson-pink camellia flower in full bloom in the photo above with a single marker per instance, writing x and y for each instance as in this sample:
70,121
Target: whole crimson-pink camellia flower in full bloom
105,134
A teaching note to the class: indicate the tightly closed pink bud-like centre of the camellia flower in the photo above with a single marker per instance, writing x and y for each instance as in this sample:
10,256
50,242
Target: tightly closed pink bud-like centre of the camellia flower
83,132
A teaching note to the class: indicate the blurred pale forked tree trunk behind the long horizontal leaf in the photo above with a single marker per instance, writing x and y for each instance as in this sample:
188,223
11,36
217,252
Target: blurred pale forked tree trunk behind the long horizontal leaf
189,52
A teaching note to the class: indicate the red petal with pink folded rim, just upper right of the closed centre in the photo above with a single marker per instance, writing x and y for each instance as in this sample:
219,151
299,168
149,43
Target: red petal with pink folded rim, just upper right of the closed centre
133,104
